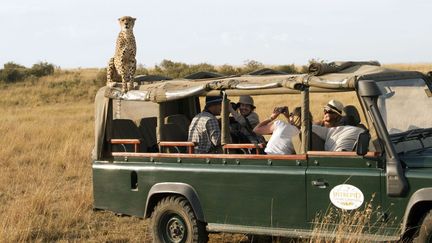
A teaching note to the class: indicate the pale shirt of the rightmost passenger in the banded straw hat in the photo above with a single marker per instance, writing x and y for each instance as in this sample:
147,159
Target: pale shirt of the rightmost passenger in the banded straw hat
341,138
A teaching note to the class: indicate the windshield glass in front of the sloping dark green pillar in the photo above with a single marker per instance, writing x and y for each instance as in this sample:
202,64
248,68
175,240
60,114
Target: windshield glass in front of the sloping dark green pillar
406,108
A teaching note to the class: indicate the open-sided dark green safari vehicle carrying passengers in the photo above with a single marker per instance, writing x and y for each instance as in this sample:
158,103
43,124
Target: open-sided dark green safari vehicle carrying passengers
144,166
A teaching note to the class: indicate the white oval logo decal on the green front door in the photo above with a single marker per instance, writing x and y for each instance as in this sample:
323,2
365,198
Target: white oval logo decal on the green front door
346,197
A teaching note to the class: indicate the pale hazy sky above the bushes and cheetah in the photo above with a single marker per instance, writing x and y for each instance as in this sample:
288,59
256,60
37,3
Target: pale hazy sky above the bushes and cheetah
82,33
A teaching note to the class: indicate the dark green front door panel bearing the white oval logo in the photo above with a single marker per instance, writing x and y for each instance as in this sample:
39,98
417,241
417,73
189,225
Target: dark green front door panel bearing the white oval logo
339,182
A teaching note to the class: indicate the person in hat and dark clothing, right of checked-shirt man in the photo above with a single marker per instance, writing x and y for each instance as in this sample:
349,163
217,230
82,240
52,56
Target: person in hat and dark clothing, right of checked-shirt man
245,121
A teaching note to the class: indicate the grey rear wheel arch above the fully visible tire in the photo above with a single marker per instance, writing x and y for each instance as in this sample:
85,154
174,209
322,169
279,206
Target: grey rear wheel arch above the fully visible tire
161,190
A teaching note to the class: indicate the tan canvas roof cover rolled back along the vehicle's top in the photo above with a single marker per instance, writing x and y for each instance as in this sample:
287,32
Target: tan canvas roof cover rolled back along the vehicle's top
322,77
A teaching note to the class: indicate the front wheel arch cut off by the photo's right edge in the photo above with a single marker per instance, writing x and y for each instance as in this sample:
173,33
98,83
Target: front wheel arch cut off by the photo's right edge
419,204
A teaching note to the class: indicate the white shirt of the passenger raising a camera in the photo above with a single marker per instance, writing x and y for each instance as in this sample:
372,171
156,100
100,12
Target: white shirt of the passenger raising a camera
280,141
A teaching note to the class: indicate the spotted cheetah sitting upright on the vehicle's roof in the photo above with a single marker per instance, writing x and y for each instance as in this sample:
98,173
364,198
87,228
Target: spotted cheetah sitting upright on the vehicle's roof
121,67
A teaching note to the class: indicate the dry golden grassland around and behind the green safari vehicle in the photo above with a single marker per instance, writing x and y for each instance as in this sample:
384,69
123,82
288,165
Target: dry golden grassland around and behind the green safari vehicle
46,129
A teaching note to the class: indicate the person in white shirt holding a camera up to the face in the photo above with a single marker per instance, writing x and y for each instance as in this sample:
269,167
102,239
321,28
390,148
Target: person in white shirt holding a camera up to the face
282,132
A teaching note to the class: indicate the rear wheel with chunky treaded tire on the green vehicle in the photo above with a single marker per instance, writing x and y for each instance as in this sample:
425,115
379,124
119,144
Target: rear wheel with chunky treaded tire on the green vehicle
173,221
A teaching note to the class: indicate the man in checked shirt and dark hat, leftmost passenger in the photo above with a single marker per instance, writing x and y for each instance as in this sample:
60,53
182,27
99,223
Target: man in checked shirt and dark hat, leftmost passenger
204,129
